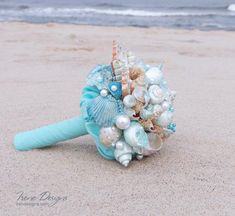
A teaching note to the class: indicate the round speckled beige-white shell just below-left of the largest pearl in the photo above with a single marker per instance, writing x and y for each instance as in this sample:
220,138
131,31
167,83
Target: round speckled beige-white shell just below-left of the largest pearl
110,135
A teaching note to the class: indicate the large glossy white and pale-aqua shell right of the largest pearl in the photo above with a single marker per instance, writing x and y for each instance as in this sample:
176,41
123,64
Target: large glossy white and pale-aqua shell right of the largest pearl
135,136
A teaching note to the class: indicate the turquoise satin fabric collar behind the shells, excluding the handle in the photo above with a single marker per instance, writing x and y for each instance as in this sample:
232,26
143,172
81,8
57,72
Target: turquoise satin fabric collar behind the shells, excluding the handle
89,93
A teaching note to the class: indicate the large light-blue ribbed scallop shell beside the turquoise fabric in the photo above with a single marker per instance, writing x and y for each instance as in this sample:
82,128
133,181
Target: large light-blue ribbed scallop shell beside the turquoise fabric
103,110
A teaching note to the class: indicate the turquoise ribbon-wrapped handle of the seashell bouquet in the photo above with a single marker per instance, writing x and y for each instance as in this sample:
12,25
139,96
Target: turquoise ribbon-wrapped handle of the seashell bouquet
50,134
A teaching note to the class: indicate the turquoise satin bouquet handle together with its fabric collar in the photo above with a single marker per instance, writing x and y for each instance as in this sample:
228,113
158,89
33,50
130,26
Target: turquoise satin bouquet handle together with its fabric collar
65,130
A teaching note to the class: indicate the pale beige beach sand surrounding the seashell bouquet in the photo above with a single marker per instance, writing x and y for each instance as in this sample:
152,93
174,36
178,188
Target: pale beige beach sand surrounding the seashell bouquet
42,71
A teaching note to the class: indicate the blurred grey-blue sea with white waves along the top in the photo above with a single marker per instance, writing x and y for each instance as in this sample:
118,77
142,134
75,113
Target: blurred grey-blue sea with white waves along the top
189,14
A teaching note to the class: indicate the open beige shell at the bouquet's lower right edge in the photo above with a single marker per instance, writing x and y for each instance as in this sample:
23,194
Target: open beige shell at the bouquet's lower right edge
155,144
